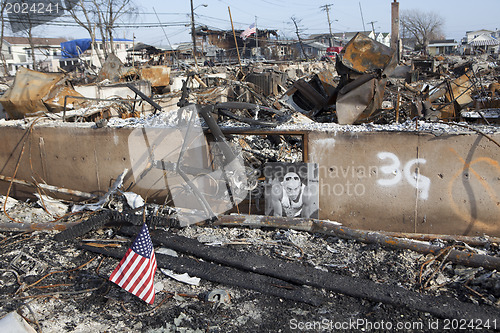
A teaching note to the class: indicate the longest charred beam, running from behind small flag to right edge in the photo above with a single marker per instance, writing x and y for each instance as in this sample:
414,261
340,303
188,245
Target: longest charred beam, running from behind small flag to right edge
443,307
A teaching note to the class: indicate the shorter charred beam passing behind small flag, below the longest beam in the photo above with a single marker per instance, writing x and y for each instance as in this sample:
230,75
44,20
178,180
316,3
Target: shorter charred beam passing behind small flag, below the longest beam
227,276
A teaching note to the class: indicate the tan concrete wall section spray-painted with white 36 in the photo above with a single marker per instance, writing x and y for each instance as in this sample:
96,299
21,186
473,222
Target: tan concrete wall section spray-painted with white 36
409,182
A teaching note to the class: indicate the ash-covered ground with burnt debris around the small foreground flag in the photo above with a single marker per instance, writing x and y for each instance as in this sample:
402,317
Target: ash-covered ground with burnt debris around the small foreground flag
56,286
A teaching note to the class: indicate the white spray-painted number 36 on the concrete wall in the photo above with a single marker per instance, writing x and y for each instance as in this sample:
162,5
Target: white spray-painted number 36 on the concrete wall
415,179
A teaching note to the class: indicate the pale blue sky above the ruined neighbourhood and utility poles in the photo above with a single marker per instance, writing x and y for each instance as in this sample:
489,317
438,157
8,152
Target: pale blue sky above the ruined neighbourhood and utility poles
459,16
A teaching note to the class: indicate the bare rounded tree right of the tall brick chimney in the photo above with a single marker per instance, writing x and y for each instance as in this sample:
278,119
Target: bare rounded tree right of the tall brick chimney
422,26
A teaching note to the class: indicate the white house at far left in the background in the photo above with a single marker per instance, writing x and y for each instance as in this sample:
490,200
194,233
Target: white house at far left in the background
18,53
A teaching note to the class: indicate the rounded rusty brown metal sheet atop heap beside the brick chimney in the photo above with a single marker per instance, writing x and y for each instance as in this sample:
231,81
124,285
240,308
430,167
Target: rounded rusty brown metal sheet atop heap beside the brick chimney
363,54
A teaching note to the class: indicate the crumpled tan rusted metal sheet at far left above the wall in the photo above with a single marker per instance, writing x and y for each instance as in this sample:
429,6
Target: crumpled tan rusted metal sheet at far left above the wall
34,91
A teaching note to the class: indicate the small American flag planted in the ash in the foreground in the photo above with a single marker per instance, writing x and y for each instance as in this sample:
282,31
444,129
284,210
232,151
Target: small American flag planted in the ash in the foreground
135,273
